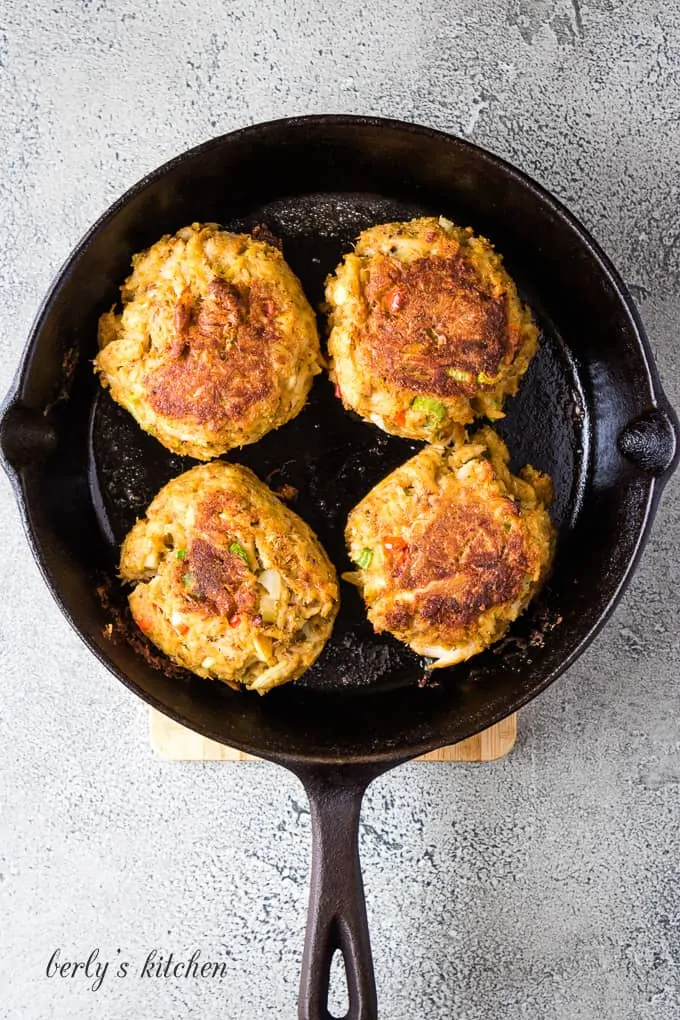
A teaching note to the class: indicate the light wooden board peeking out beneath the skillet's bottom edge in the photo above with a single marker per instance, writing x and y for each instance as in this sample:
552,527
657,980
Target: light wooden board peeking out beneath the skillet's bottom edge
175,743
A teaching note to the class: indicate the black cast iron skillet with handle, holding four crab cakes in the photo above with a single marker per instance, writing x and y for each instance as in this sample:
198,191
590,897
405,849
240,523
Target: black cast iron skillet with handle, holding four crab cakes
591,413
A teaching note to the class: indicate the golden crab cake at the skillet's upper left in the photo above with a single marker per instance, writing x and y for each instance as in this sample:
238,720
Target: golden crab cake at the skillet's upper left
217,344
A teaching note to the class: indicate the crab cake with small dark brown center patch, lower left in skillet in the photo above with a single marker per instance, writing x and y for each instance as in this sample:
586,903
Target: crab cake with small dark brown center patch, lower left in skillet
229,583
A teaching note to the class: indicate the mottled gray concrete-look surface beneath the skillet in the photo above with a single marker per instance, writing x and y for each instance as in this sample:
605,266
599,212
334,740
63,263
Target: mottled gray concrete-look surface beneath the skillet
543,887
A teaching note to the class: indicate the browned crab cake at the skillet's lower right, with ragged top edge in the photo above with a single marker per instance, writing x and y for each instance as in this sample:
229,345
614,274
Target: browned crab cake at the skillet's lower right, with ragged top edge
452,547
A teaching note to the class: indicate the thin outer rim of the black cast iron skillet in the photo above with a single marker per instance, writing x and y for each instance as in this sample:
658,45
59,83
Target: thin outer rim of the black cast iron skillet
648,500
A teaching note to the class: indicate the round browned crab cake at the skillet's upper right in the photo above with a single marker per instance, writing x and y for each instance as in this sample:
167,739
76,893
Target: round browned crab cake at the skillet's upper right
427,330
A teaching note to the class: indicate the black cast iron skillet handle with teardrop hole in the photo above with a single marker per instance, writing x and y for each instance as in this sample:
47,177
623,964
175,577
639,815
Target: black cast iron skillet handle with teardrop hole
337,919
